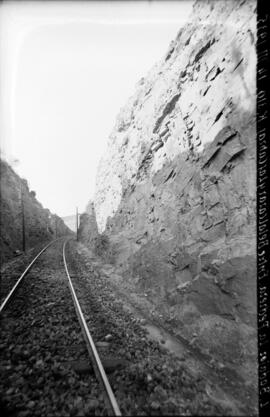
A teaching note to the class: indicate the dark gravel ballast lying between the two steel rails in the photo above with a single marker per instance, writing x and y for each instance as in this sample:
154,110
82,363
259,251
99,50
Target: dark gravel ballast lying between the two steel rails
40,342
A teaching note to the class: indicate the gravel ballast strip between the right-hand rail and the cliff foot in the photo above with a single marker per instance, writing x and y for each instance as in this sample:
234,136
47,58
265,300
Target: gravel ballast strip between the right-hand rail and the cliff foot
146,378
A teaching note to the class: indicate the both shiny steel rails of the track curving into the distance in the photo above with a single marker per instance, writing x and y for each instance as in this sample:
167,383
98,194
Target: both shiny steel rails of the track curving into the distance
97,364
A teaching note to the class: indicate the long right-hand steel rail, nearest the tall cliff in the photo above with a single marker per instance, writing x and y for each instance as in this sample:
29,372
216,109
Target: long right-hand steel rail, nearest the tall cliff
98,367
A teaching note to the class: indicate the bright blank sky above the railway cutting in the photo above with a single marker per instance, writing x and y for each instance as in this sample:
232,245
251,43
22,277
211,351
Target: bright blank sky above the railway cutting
66,68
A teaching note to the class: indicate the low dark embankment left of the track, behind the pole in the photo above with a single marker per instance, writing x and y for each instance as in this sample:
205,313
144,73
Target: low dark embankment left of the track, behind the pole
18,201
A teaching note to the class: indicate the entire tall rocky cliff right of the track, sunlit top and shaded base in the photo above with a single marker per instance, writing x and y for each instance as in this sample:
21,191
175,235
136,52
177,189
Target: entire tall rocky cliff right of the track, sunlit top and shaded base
175,198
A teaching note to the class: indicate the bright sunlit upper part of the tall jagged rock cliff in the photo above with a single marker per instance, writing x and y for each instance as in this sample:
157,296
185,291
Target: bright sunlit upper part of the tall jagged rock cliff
206,82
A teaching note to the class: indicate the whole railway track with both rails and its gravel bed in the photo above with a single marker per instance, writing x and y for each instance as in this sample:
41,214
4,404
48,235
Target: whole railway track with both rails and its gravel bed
45,365
